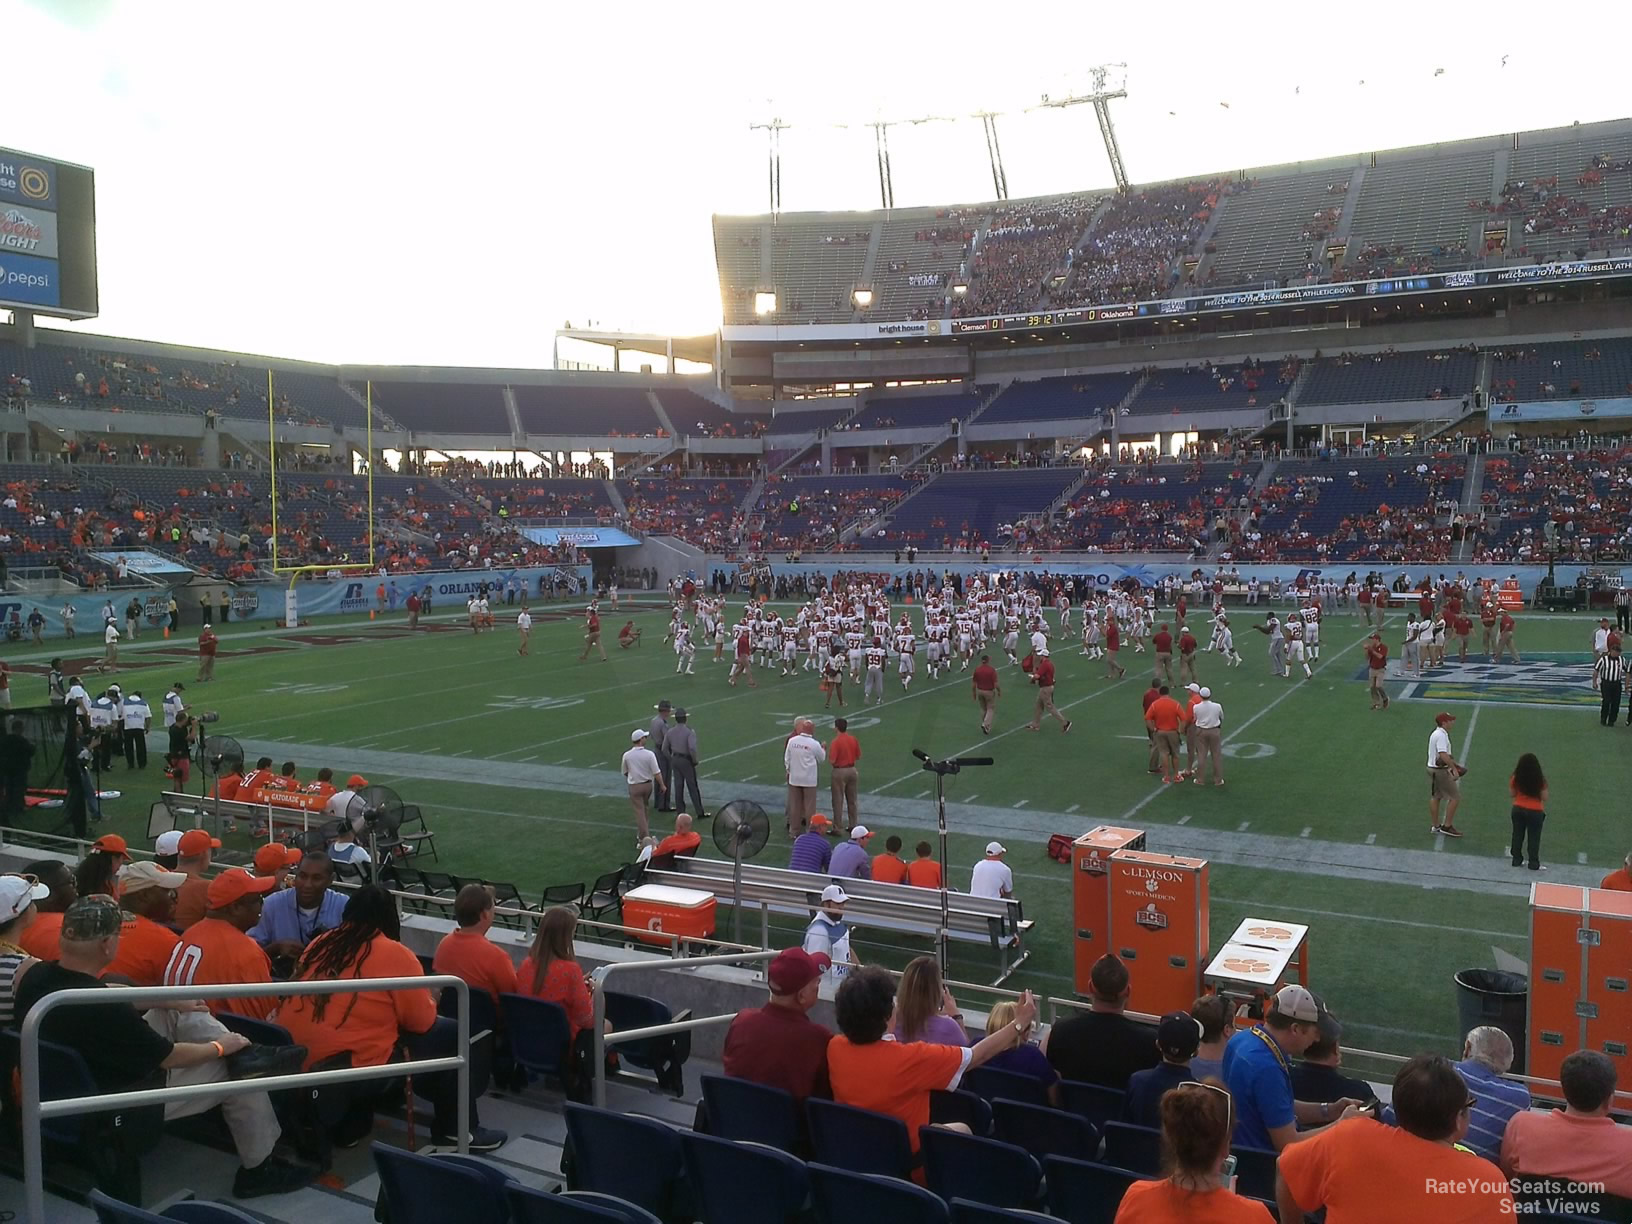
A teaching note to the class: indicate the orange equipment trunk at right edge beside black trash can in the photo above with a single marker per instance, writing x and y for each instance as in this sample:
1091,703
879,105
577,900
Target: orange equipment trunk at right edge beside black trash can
1581,996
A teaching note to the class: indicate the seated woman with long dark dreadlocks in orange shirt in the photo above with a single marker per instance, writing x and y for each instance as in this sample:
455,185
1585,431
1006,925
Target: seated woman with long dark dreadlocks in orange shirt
375,1027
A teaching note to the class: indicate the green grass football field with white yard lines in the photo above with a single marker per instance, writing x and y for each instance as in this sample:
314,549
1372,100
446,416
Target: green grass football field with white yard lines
1323,817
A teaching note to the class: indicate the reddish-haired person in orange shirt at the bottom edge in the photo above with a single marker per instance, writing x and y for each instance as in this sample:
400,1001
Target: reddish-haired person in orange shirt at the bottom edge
1197,1127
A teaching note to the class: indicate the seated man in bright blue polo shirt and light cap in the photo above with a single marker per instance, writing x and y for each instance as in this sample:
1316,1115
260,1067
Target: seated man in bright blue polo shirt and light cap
1259,1073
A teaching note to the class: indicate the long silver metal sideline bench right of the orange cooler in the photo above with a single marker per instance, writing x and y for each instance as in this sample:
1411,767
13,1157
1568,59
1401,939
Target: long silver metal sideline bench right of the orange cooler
903,908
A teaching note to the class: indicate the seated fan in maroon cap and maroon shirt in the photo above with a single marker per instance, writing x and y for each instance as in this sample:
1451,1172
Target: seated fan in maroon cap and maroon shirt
779,1044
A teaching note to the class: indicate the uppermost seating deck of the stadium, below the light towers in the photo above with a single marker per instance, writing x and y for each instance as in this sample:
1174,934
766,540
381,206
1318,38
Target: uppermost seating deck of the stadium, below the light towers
1501,200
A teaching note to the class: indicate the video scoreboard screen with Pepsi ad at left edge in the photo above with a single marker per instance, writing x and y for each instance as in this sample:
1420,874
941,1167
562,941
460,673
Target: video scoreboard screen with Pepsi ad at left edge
48,236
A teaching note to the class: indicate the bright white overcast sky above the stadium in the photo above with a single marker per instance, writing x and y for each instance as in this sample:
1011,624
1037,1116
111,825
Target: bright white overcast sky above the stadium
446,185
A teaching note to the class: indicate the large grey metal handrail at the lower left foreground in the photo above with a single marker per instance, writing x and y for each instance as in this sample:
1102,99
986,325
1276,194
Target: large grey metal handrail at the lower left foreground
157,996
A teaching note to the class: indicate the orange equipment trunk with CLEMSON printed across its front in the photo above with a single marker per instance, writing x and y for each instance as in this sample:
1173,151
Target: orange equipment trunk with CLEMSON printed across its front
1160,926
